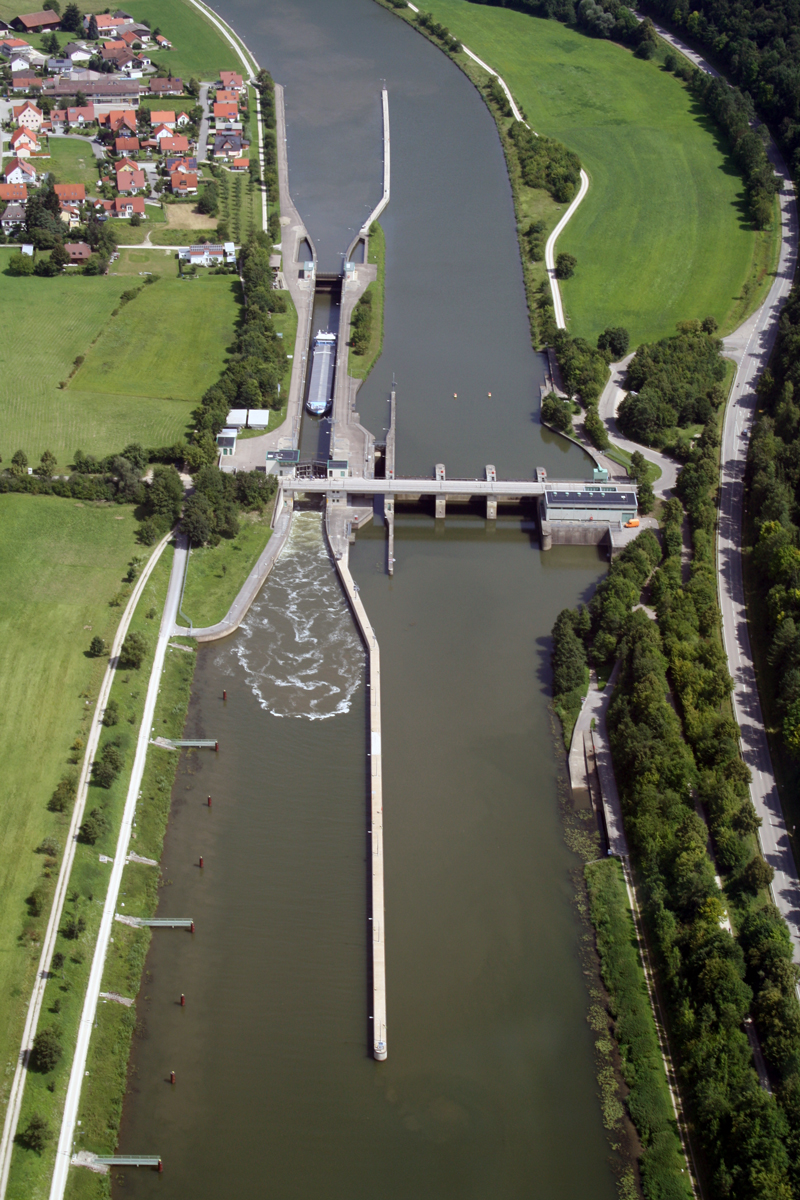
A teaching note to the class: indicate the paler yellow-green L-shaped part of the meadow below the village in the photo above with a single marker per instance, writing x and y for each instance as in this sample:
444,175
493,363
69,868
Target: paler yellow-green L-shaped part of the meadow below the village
45,325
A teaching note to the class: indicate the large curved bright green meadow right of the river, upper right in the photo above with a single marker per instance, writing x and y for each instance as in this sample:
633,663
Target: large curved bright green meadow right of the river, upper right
663,235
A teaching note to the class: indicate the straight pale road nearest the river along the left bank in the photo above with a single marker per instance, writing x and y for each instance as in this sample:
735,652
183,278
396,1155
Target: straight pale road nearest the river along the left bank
67,1136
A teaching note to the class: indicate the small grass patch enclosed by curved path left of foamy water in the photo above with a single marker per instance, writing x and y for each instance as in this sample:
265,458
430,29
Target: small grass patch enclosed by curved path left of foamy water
216,574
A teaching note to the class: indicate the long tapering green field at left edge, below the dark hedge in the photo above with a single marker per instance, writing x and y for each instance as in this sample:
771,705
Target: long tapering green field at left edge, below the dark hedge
61,563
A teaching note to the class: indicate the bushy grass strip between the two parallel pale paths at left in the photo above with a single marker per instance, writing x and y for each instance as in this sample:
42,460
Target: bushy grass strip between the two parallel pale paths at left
46,1089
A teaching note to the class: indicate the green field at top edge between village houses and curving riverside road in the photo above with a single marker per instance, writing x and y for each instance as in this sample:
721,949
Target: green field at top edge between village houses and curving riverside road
200,49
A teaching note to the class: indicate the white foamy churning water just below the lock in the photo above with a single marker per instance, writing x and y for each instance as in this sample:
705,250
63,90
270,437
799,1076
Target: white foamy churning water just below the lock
299,649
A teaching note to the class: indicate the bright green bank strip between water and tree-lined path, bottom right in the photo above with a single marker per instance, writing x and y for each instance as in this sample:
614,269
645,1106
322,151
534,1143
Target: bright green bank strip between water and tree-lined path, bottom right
661,1165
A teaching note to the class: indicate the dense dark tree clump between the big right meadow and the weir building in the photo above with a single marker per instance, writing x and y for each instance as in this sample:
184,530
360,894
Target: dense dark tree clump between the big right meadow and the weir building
673,383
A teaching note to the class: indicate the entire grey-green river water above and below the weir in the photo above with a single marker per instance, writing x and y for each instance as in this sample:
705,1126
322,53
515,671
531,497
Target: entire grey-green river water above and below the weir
489,1089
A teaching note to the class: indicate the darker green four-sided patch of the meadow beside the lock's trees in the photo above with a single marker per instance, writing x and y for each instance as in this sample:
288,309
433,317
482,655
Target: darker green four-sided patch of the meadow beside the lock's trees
170,343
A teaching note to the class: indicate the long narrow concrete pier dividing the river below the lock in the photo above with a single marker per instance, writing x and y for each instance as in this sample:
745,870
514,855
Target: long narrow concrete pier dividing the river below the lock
380,1047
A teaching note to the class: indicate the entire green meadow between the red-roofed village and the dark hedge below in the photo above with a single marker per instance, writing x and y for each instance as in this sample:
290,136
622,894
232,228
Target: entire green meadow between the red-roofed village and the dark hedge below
161,344
